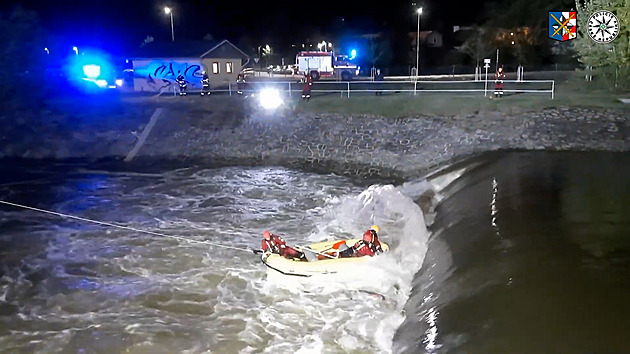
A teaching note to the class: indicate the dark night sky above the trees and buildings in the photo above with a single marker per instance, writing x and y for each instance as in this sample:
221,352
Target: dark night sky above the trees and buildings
280,23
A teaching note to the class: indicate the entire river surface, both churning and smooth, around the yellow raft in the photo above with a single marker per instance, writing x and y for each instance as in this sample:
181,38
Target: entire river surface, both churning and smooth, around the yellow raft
527,252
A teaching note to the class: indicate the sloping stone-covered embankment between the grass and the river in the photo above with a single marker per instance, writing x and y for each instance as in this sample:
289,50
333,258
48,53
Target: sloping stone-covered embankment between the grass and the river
232,131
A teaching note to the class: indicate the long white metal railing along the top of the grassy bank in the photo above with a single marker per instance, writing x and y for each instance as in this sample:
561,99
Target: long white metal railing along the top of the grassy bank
391,87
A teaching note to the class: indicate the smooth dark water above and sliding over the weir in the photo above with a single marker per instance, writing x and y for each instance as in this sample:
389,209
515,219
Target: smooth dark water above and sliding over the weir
530,253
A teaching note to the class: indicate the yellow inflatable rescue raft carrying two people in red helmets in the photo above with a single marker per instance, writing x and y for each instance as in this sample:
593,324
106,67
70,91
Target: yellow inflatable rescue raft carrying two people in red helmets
303,268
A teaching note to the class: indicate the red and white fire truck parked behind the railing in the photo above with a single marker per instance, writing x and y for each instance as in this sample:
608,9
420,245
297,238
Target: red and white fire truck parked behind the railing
325,64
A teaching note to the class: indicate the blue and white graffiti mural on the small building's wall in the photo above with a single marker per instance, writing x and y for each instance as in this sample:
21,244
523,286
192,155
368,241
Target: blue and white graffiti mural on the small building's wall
161,75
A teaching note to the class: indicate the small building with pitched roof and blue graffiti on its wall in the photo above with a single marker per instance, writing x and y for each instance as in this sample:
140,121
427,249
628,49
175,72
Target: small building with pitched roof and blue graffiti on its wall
156,65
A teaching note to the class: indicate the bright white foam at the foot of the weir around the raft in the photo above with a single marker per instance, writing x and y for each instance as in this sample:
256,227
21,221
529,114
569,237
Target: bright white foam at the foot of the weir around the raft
378,288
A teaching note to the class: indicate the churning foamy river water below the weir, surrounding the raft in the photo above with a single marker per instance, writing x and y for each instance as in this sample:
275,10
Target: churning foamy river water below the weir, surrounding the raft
71,286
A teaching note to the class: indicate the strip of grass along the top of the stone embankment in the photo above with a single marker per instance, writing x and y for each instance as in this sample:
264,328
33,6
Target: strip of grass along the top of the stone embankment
574,92
